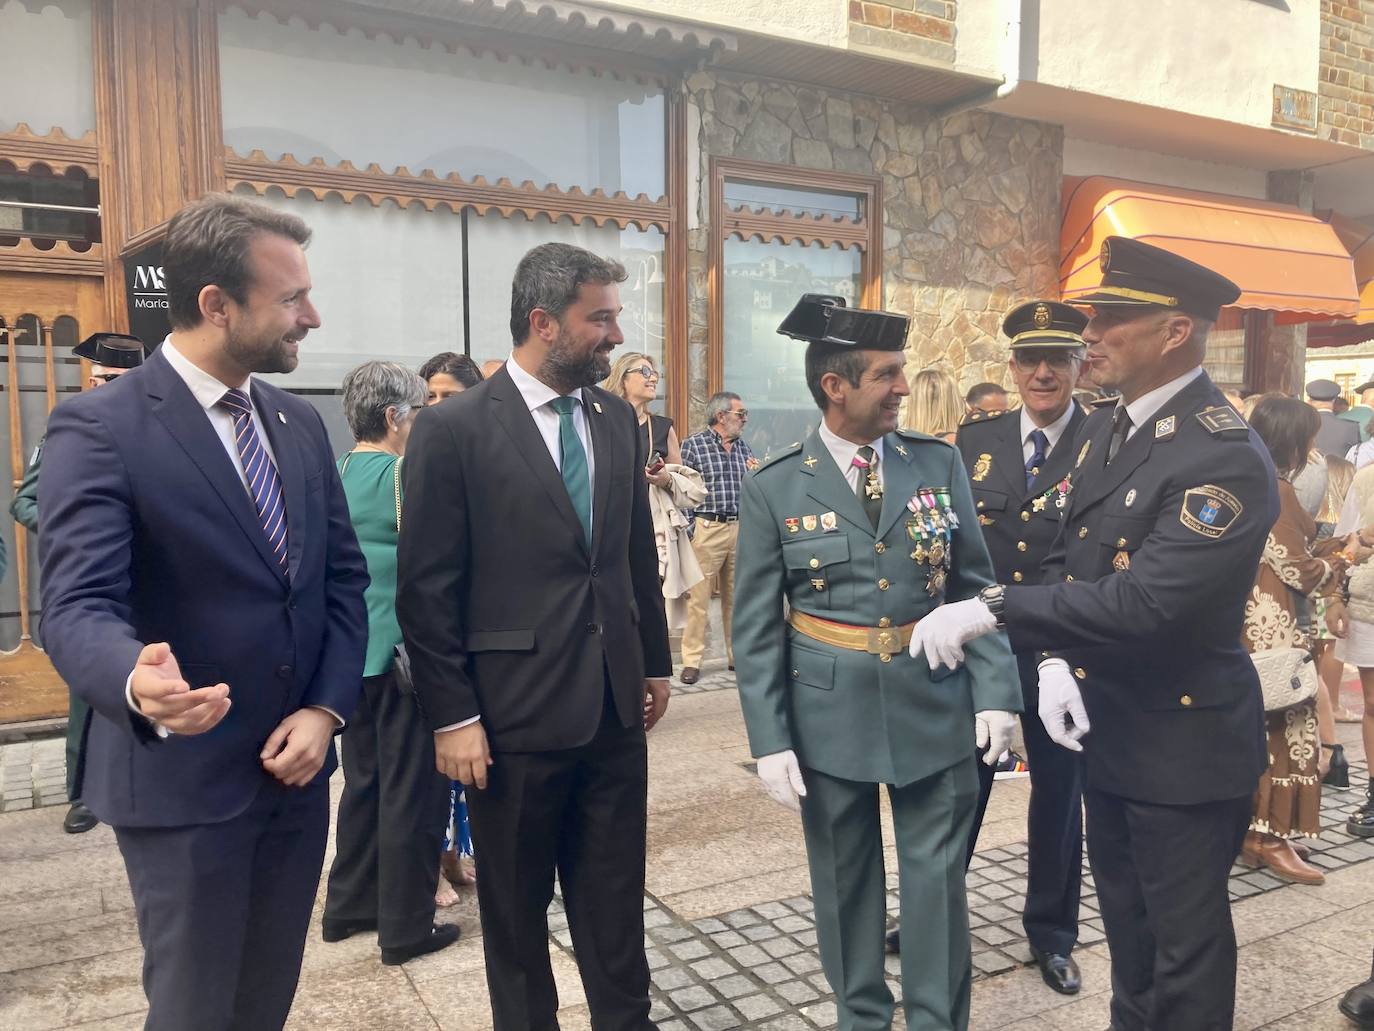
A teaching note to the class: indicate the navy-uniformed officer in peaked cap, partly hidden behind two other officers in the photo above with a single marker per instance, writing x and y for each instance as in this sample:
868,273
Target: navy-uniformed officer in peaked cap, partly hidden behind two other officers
1019,463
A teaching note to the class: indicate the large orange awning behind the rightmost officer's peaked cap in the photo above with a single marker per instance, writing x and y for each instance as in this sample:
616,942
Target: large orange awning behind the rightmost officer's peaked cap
1283,259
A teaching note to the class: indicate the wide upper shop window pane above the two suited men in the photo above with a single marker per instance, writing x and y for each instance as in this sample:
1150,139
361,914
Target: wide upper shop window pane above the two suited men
324,93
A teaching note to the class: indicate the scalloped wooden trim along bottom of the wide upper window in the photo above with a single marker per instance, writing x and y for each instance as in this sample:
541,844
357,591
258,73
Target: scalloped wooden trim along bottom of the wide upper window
319,181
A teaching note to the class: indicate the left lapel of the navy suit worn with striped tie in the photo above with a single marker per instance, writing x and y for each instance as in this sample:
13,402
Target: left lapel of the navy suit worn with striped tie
177,408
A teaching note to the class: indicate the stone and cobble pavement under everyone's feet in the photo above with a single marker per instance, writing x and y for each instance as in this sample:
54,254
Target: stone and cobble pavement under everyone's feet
730,933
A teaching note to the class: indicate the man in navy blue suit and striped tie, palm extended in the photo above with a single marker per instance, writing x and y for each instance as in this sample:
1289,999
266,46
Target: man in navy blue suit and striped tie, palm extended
204,595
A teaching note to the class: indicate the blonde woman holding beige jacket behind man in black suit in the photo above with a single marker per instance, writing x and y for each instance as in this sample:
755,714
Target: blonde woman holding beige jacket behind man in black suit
673,487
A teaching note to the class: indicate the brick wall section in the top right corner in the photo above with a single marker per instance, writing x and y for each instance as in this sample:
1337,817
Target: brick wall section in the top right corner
1346,87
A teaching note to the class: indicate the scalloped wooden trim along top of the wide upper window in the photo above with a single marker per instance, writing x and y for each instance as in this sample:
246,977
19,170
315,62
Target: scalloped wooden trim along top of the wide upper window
315,20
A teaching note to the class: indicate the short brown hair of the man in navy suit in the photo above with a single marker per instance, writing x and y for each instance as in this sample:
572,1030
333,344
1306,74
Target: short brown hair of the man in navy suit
208,244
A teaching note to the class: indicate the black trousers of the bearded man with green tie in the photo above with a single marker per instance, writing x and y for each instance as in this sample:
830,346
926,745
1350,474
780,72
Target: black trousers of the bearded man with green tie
582,813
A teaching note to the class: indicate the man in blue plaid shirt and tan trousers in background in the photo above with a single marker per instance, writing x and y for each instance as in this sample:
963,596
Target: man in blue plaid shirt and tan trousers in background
722,458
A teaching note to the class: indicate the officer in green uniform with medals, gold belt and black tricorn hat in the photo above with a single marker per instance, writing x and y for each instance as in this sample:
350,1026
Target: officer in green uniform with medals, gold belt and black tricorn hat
846,542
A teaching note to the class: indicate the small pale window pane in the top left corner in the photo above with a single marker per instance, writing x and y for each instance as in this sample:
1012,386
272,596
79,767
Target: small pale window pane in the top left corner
49,67
